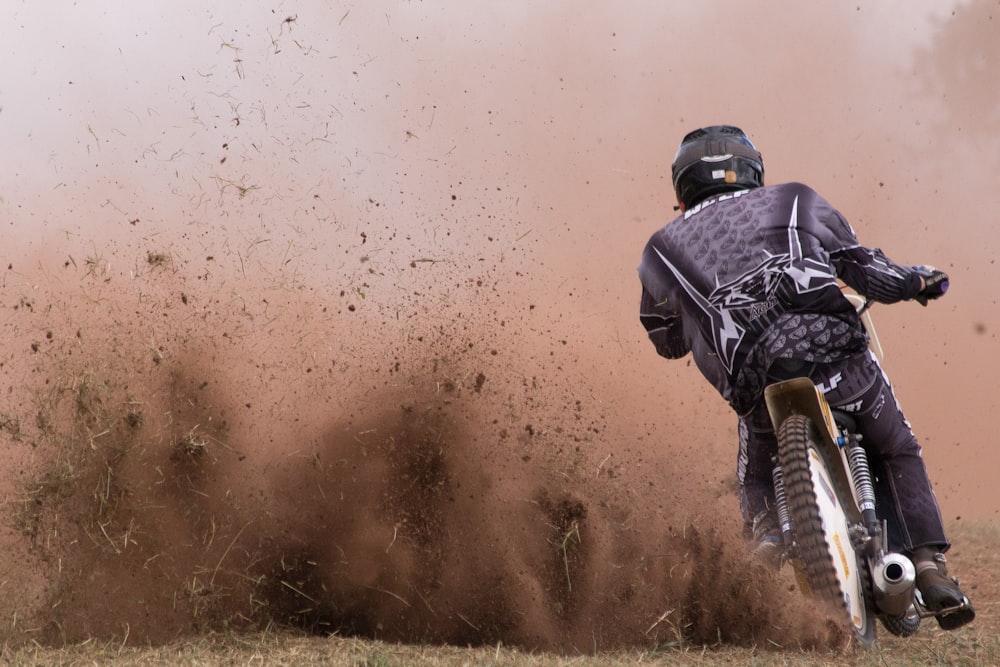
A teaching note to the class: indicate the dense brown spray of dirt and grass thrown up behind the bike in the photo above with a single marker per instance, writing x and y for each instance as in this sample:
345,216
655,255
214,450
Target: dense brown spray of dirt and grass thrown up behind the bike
197,467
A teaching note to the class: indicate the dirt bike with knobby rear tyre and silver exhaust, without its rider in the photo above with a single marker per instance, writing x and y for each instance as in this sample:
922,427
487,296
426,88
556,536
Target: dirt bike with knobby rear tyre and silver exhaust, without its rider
832,532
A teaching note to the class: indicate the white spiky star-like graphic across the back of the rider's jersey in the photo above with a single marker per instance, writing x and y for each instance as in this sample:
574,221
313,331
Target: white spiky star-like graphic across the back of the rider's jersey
754,290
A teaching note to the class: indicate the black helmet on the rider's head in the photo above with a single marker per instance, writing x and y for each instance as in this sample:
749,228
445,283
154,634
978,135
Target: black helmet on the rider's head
713,160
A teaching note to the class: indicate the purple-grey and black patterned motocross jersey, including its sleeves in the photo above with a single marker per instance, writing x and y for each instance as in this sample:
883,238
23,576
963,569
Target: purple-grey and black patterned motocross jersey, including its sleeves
749,277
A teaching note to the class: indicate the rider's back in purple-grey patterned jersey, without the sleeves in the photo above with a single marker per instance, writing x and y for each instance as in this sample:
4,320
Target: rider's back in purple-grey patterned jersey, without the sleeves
746,266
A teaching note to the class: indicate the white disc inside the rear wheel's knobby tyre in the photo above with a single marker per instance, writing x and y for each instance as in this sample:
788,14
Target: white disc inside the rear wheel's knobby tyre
838,539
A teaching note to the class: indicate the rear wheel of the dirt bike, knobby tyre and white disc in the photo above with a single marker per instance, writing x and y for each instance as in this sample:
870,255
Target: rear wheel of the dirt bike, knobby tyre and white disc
816,504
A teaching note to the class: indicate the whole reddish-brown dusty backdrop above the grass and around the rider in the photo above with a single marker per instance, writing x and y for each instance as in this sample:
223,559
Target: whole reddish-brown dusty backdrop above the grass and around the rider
326,315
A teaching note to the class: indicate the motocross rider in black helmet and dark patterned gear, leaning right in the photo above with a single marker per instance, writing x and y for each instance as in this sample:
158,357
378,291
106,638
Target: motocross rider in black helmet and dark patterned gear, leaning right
746,279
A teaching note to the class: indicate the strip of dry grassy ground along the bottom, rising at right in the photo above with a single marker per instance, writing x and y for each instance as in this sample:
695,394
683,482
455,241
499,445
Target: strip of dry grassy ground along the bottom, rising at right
977,644
